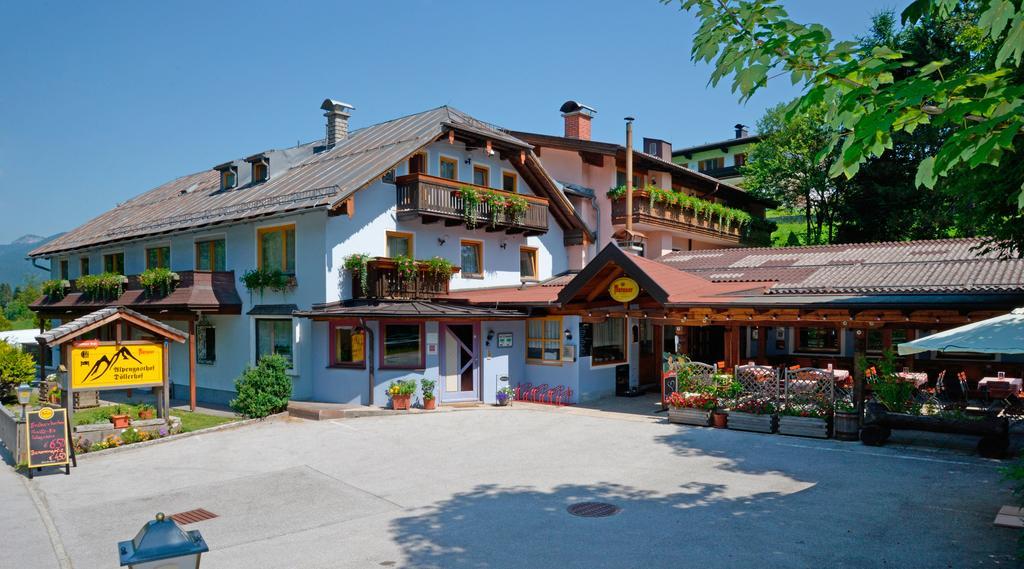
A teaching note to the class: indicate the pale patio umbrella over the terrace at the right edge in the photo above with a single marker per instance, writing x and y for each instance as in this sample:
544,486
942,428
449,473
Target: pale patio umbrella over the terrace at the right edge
1002,335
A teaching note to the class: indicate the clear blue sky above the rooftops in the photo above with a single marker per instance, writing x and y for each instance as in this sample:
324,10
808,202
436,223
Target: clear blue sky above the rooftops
104,101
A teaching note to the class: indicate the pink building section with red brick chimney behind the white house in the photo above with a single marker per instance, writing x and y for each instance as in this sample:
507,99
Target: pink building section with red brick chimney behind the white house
593,176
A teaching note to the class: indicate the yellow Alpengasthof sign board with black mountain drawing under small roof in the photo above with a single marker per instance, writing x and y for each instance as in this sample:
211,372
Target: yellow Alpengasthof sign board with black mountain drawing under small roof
117,366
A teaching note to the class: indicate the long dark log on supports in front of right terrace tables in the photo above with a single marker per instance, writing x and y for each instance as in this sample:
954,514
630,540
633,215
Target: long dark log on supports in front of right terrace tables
879,424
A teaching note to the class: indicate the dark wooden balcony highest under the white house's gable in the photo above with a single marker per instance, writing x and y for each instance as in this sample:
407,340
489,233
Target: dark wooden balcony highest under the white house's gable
433,200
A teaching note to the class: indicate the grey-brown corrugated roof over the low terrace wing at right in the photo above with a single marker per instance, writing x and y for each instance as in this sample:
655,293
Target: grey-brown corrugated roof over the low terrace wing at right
912,268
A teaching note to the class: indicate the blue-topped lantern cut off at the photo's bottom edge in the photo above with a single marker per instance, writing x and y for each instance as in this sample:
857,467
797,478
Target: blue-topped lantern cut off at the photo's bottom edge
162,545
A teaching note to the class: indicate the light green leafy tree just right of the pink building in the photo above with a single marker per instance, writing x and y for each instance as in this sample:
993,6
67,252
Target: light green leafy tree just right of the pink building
786,167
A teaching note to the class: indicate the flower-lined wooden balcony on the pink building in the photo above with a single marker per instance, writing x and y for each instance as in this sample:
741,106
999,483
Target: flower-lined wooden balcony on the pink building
662,215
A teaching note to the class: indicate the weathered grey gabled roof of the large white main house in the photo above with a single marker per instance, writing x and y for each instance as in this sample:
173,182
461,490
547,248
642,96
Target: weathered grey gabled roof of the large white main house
320,181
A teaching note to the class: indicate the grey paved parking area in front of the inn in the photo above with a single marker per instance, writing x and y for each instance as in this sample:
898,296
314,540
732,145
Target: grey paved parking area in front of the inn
489,489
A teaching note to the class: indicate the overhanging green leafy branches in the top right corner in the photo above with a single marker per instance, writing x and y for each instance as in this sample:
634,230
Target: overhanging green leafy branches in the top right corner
875,92
